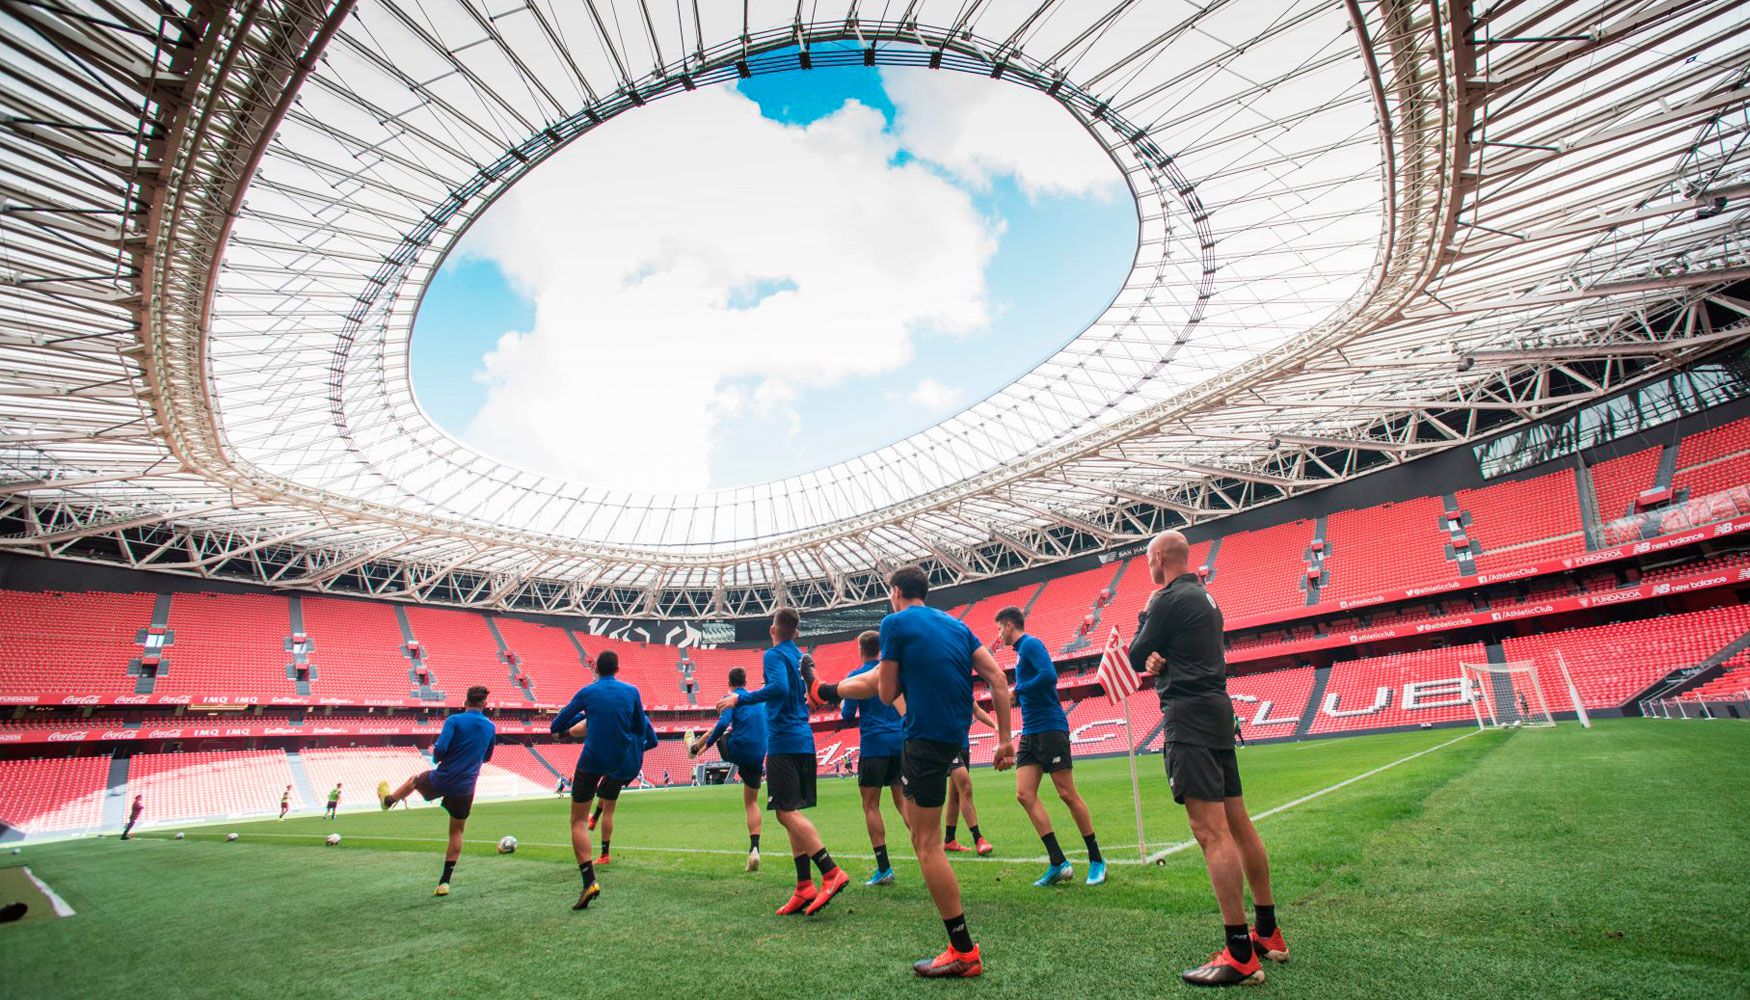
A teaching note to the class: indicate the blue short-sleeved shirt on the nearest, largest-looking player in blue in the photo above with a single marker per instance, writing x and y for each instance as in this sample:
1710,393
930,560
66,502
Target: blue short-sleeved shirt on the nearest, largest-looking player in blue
935,656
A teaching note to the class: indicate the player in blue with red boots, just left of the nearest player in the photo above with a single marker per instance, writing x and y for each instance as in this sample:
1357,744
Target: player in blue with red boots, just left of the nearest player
792,764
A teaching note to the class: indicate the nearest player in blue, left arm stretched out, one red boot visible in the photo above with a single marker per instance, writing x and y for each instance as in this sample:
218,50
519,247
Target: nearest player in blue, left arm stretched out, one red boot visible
930,659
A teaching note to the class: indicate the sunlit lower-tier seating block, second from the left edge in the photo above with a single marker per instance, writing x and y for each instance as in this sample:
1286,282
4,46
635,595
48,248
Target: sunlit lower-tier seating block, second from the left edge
211,784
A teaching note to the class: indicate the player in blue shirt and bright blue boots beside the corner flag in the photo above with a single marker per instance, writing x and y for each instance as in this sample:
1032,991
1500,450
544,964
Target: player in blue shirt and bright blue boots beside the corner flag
1046,750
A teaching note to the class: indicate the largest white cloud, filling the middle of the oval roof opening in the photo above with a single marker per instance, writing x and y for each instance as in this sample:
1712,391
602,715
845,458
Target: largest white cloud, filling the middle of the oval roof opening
696,262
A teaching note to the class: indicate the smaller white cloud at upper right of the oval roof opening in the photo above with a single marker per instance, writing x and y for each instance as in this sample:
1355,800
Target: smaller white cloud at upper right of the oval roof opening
979,129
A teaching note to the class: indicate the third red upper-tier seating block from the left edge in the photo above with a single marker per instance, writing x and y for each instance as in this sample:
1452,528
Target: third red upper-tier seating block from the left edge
358,651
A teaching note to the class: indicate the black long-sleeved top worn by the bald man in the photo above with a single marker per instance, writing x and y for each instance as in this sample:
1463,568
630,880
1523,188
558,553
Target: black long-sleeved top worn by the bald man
1184,624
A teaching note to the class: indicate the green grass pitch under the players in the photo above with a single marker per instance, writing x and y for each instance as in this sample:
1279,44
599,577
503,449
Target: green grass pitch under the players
1509,864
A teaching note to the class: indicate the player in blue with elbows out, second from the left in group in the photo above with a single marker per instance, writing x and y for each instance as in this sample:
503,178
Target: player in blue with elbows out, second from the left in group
610,717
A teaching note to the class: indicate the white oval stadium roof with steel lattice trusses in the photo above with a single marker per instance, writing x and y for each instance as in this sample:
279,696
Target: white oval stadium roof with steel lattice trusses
1366,232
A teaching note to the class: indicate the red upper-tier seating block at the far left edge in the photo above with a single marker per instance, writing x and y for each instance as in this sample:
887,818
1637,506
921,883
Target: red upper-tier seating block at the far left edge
53,642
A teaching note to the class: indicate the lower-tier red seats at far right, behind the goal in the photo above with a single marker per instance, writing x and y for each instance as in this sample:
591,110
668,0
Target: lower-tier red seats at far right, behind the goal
1614,663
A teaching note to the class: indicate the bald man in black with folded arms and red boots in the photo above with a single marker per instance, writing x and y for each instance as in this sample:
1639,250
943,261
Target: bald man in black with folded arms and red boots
1180,649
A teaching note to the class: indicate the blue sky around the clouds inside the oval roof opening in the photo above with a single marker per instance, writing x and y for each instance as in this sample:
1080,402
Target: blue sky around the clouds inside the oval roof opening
1058,260
